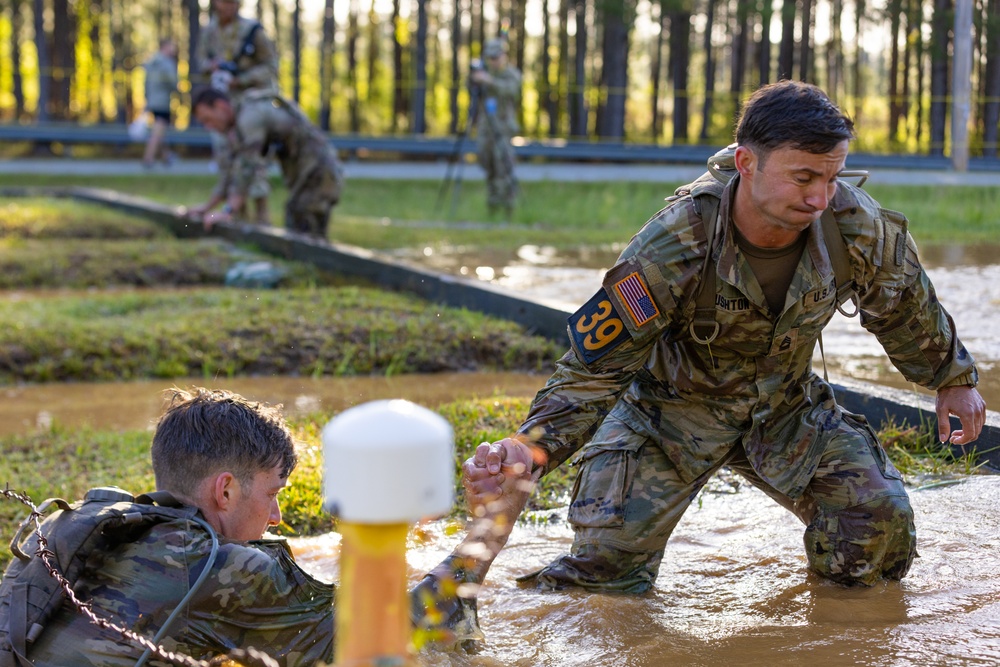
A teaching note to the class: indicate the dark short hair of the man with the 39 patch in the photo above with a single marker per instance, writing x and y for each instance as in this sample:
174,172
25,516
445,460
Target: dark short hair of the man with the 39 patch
792,114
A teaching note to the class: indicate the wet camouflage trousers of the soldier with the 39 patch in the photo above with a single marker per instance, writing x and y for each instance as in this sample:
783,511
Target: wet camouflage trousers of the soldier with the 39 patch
628,498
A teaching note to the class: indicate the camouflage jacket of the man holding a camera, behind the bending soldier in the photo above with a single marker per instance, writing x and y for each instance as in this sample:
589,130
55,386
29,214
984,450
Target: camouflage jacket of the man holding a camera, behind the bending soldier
257,70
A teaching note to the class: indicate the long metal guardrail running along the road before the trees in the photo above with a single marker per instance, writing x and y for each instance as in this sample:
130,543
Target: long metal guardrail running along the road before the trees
444,147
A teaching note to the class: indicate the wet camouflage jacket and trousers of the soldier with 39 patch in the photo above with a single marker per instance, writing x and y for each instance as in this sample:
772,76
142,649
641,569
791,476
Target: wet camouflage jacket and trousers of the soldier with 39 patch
662,412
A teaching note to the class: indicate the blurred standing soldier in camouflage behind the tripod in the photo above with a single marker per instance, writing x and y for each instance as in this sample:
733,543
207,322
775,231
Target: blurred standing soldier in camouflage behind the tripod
499,88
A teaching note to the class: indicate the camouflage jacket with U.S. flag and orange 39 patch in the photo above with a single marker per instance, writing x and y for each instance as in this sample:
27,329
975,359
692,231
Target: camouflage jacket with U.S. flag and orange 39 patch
634,357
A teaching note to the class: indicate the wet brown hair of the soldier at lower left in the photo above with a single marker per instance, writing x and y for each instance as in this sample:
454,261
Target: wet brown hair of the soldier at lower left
204,432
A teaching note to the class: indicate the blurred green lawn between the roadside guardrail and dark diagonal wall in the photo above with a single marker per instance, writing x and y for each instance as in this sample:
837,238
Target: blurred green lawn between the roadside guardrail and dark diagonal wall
380,214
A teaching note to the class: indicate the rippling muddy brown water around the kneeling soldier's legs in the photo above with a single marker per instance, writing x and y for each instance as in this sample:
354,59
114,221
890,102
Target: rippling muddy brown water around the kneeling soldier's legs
733,590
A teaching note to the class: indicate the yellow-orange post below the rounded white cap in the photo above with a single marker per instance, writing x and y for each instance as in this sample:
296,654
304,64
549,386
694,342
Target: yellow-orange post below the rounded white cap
373,608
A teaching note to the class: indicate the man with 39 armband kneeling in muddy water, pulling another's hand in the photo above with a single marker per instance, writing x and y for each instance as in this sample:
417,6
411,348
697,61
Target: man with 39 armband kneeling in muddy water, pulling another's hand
697,353
